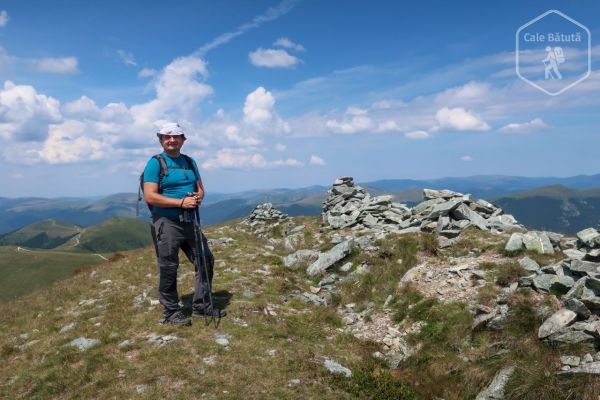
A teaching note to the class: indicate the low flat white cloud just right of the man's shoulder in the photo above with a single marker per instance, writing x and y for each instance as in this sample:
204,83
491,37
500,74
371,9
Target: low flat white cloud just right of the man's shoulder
242,158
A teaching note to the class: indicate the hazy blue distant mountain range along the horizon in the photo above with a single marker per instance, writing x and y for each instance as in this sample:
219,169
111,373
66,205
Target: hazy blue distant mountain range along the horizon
560,204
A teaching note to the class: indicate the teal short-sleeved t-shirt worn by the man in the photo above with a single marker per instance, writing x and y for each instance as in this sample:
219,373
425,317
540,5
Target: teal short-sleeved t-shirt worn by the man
179,181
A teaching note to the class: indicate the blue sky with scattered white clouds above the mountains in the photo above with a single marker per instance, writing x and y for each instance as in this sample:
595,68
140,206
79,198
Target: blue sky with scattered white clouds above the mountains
287,93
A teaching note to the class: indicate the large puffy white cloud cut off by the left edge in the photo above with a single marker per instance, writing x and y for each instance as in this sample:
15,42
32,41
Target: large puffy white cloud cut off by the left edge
25,114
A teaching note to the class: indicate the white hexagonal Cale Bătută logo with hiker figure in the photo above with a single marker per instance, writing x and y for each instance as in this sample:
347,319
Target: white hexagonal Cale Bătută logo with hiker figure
553,52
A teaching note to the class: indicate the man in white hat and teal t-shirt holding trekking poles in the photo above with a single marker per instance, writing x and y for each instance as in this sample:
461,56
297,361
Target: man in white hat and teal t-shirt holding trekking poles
168,198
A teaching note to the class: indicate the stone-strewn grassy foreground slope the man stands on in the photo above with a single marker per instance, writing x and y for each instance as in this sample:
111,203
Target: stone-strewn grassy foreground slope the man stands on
453,362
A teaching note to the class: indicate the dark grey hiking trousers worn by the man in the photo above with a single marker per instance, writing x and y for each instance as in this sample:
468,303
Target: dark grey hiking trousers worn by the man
169,236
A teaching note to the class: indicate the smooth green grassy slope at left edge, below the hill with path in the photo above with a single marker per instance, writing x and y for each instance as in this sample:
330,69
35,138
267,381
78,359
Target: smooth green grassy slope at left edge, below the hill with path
24,271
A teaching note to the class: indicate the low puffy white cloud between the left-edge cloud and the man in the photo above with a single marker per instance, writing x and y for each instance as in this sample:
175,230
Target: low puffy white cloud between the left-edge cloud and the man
67,143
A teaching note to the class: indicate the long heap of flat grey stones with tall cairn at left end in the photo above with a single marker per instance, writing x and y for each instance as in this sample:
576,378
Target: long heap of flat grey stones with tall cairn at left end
443,211
